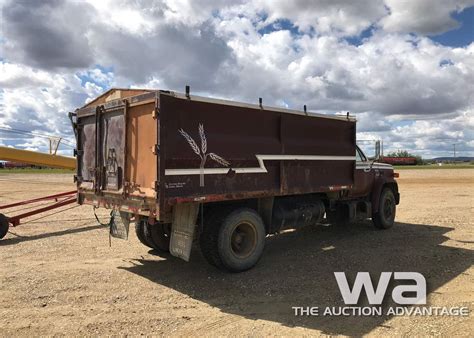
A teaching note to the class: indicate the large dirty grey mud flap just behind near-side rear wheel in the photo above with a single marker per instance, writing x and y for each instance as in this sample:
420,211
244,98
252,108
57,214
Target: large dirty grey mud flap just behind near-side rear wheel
182,231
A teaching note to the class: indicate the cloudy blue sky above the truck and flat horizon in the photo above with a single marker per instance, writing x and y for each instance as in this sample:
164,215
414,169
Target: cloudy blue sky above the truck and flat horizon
404,68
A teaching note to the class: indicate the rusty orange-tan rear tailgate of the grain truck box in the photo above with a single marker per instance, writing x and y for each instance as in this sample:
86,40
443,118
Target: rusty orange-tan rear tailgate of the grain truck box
117,166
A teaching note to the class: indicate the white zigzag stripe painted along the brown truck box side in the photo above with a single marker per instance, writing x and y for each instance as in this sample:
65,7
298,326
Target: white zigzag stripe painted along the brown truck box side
261,168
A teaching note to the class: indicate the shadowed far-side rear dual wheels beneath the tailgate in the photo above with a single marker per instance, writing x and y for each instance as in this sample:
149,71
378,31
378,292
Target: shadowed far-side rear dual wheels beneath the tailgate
155,236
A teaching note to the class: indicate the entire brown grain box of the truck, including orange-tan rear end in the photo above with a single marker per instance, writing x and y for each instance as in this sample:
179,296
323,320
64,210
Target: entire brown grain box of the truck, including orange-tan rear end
172,149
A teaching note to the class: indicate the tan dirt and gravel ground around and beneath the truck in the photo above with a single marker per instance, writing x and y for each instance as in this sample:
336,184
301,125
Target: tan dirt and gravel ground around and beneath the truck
58,274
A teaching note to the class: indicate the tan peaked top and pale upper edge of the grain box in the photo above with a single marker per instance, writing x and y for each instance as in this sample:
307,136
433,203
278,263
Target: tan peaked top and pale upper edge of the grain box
116,94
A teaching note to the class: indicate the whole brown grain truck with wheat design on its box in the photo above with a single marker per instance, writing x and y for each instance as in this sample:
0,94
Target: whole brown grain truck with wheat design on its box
228,174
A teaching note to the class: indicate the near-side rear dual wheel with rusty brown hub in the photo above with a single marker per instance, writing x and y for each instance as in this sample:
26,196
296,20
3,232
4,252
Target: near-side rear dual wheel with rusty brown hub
233,241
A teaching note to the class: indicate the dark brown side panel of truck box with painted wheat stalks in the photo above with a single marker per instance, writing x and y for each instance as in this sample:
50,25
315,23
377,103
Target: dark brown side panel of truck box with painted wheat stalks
238,135
